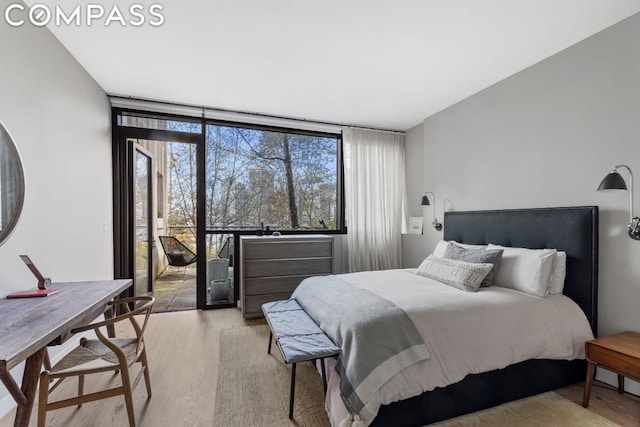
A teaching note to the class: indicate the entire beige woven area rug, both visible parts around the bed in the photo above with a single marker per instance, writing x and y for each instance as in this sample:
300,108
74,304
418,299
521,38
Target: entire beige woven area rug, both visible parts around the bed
253,390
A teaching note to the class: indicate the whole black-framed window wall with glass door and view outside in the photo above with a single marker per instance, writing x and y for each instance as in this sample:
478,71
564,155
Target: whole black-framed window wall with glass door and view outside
214,181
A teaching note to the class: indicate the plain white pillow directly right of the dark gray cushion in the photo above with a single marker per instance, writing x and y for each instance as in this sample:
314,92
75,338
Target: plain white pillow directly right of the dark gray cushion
525,270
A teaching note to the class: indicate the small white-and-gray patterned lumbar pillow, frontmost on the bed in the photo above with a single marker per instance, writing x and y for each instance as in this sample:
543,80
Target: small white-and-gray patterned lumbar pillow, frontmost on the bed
462,275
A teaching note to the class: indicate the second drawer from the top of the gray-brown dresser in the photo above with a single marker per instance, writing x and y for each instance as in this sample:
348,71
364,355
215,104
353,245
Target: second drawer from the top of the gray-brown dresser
287,267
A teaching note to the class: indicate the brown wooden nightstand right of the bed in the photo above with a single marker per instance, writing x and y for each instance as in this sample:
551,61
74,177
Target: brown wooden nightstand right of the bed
619,353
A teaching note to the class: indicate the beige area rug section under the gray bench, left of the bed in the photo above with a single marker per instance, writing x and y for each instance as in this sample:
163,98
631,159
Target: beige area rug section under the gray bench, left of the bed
253,386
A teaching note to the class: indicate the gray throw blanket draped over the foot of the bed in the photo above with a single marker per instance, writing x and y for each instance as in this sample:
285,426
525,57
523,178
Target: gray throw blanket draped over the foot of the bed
377,338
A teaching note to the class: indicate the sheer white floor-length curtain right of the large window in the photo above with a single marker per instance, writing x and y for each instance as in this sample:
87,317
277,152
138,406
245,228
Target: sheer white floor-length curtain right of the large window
374,192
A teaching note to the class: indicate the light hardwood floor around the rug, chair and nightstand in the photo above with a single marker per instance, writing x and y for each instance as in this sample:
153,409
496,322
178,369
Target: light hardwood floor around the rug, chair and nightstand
183,355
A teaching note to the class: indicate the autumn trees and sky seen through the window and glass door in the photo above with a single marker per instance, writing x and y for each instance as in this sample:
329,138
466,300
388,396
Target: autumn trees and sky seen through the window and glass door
254,177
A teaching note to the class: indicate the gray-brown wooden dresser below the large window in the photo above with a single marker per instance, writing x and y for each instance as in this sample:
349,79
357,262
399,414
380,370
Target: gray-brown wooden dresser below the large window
272,267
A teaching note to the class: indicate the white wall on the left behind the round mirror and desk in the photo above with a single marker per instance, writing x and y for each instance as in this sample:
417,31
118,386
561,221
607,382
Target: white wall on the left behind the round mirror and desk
60,120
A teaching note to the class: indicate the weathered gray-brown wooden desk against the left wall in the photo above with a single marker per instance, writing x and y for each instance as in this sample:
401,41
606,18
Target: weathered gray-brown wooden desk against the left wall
28,325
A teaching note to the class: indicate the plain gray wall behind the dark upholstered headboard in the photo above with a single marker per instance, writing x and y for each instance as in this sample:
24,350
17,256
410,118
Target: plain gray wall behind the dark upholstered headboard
546,137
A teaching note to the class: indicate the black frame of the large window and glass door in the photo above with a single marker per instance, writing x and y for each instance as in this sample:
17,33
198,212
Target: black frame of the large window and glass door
122,198
